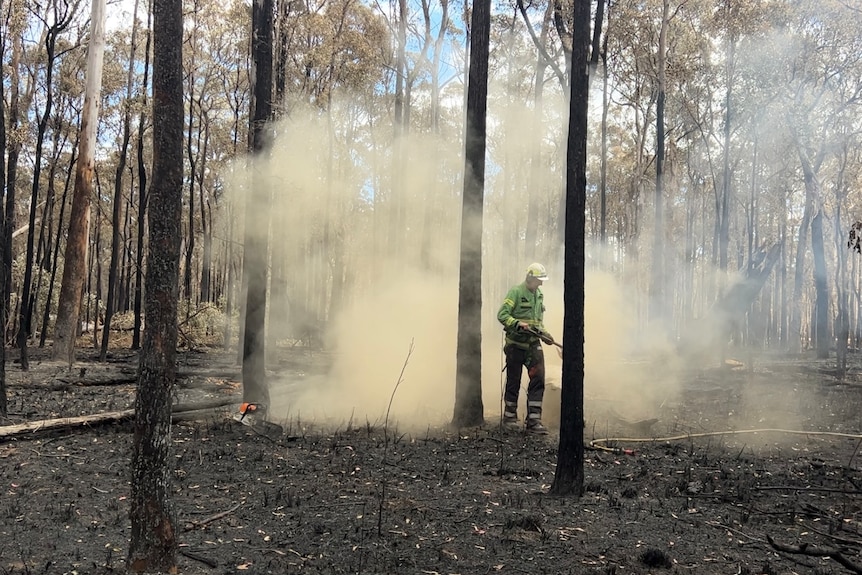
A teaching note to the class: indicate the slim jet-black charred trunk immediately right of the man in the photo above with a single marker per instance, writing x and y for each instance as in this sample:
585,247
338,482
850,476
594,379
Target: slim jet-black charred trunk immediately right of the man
569,476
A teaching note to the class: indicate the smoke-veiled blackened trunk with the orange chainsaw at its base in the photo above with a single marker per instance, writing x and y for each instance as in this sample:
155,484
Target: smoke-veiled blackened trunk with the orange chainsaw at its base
255,388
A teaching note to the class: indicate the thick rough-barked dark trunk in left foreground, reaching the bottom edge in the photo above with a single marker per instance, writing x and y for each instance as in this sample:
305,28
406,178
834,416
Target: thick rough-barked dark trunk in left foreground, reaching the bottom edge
153,544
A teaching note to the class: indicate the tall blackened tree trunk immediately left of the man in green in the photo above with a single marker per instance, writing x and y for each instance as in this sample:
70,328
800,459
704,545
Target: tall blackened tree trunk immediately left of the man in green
468,376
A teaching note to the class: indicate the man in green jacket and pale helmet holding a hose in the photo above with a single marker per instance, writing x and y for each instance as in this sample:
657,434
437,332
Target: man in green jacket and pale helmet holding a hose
521,315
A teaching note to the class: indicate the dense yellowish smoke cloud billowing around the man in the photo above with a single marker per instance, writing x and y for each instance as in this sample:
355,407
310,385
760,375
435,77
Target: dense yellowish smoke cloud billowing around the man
396,322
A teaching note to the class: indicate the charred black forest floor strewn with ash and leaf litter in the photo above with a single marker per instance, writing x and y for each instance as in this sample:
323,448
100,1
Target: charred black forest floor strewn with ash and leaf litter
364,499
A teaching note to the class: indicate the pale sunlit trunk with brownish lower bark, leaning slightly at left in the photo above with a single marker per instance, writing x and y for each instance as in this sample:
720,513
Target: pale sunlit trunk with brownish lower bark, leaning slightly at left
75,267
